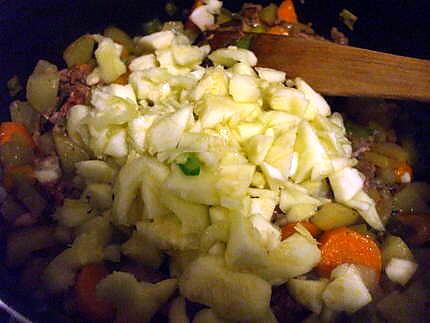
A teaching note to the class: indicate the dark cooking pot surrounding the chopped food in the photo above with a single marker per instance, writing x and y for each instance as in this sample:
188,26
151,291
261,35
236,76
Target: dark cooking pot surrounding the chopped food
31,30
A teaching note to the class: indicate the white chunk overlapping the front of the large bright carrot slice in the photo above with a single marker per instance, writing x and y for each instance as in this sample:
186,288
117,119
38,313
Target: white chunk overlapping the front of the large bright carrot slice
347,291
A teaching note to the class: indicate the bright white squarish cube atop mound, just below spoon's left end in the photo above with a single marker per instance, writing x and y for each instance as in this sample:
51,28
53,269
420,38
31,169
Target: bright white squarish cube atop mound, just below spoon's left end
244,88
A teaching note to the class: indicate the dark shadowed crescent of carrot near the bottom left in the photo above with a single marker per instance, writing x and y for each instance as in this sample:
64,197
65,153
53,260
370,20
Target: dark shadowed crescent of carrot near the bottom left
89,305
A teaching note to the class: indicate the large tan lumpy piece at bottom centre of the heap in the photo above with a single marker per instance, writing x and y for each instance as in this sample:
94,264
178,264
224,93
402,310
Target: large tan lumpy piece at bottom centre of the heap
231,295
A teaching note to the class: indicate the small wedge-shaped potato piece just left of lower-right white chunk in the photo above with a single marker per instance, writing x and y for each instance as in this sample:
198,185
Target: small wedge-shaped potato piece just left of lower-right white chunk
308,292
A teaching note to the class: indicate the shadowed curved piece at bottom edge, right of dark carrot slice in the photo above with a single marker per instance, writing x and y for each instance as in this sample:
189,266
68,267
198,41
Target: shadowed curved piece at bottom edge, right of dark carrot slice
135,302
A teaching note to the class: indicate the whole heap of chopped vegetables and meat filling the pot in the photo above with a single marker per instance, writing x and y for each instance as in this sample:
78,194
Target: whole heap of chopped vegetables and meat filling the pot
219,179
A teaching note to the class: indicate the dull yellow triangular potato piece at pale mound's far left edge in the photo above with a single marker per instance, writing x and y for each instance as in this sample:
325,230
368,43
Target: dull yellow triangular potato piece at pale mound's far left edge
69,152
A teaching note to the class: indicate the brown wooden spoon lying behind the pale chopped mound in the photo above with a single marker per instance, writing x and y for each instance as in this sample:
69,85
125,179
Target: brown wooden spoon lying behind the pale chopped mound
338,70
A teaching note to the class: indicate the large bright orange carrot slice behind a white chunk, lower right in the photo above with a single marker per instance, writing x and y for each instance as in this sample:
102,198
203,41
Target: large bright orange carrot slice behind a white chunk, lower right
343,245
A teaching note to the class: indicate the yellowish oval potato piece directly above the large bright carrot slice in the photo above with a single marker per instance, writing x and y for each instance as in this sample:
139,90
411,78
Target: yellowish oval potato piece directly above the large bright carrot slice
334,215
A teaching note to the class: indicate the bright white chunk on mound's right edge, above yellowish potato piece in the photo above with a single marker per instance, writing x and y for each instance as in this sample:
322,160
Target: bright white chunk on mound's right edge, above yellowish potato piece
346,183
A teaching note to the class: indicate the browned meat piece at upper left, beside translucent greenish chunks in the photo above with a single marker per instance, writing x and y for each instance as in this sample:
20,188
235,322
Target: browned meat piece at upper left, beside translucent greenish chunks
73,89
